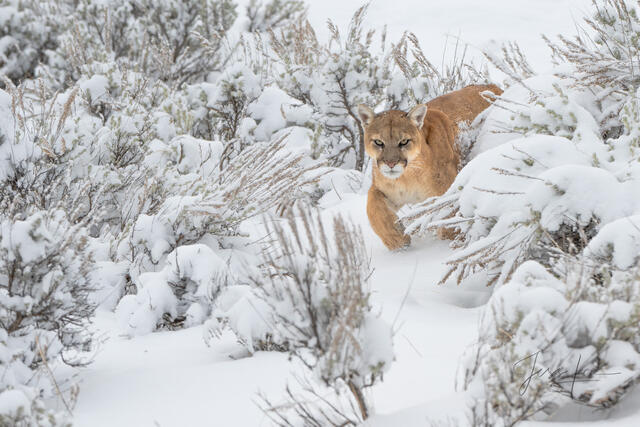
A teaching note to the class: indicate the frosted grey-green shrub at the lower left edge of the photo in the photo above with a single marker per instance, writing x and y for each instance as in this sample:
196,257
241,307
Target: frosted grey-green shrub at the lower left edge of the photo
45,308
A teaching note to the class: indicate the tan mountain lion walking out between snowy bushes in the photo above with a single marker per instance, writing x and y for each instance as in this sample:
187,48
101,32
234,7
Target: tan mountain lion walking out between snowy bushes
430,158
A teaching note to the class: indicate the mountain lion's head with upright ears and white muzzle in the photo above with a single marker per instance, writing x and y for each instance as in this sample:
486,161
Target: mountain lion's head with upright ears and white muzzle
393,138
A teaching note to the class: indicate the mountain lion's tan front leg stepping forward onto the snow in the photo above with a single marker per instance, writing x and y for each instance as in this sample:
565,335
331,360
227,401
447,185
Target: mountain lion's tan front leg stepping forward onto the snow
384,221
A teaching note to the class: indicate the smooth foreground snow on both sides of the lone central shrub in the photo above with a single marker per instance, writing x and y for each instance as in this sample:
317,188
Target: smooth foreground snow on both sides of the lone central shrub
173,378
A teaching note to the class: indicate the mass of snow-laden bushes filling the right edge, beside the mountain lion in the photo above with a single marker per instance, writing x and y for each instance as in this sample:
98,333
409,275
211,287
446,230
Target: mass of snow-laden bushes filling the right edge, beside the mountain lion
546,212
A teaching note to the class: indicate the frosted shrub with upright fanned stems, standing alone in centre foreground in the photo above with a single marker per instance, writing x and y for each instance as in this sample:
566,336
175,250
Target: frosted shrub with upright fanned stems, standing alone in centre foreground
311,298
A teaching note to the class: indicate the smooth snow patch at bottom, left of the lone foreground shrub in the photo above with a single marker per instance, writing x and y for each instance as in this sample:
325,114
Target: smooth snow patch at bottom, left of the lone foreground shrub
172,378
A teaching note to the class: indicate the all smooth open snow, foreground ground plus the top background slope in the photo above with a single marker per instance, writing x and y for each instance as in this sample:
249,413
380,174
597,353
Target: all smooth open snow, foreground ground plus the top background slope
173,378
